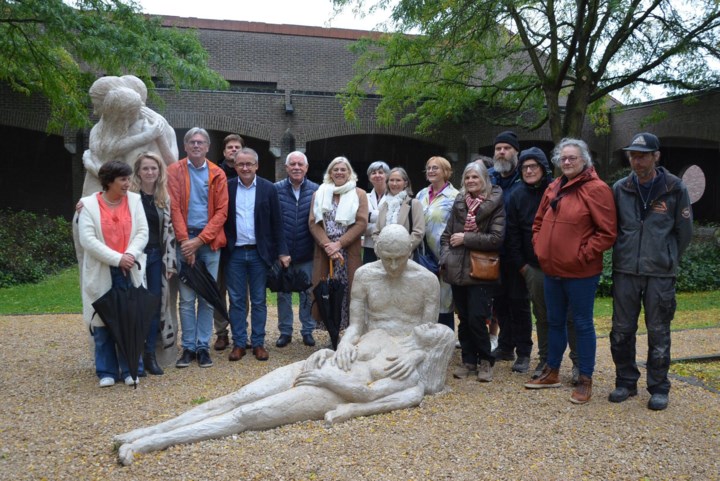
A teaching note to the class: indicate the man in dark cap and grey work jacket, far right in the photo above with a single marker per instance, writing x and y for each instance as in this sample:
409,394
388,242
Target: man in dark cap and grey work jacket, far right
654,229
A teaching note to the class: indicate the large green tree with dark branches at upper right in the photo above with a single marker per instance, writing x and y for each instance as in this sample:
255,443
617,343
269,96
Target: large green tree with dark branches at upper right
529,62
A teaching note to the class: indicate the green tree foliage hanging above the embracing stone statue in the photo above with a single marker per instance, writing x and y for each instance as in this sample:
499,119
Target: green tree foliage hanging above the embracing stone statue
57,49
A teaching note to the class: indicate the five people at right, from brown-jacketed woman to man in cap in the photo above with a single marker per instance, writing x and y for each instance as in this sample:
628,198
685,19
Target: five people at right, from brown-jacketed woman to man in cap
551,235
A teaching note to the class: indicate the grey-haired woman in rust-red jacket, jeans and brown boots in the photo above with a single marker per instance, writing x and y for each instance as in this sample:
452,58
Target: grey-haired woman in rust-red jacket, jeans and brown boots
575,223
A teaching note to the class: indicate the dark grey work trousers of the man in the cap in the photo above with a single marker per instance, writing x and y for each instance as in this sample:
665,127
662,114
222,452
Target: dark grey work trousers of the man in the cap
657,297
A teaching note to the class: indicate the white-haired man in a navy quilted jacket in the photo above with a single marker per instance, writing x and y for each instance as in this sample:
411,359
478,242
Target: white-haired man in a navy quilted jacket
295,194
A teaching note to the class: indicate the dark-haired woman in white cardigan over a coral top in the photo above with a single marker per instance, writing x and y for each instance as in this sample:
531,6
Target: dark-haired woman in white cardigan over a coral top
113,233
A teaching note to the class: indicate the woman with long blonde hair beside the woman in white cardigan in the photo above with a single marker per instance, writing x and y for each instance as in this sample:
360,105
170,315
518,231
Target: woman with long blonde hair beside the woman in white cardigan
150,181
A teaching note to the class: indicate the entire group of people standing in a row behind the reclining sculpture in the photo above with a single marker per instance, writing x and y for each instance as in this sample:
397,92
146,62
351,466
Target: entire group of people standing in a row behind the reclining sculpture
550,235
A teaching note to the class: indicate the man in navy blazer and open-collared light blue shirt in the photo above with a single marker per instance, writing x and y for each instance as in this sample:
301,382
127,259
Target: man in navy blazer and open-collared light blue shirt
255,240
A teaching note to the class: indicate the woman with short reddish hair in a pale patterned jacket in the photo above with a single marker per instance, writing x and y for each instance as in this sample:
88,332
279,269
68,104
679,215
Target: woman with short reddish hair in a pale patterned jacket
437,200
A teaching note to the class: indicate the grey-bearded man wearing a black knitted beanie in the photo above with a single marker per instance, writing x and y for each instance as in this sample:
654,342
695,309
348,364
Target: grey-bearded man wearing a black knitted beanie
511,303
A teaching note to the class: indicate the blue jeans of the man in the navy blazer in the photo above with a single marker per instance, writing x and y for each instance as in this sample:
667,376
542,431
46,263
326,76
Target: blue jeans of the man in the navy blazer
246,272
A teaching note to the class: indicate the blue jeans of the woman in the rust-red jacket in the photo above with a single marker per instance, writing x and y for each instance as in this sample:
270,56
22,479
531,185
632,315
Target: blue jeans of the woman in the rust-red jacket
579,296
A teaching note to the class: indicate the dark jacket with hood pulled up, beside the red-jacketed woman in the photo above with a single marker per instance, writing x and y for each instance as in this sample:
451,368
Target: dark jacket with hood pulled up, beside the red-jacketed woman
521,209
